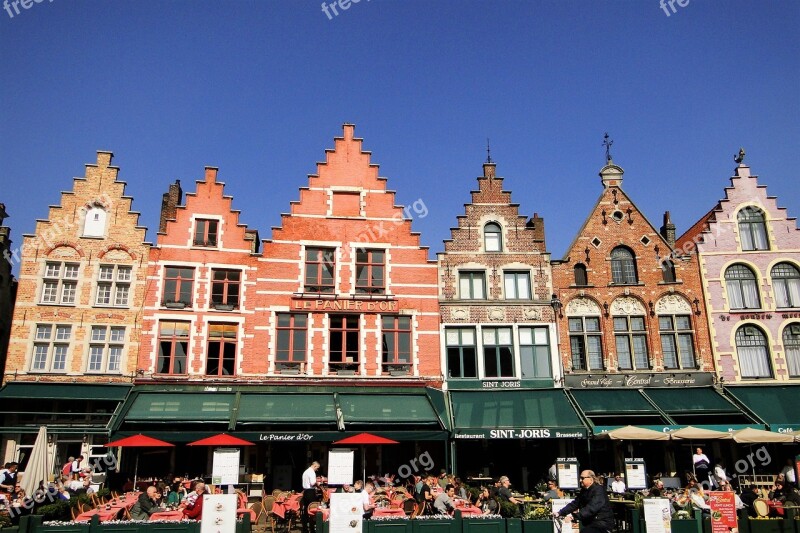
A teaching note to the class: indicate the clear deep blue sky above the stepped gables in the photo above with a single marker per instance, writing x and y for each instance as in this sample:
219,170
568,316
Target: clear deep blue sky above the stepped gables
260,88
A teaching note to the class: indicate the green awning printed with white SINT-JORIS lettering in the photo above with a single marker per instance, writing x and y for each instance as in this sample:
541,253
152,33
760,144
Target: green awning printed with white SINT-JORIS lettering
514,414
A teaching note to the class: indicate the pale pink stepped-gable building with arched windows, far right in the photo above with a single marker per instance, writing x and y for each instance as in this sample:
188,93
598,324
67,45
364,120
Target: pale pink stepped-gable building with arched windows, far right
749,259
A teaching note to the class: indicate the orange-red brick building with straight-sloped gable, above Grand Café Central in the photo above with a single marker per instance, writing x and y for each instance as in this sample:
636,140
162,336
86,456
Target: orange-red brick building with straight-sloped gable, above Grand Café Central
633,321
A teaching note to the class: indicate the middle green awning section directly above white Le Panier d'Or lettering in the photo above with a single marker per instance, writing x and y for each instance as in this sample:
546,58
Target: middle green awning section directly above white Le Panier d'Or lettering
286,409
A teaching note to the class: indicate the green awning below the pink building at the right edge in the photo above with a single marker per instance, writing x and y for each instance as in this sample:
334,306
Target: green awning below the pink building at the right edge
775,406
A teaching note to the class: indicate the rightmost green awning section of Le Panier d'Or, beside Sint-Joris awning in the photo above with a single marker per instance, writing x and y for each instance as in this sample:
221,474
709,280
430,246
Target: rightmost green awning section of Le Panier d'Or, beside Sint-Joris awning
391,409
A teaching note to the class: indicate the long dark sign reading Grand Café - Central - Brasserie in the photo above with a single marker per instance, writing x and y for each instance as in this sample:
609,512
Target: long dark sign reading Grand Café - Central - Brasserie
638,380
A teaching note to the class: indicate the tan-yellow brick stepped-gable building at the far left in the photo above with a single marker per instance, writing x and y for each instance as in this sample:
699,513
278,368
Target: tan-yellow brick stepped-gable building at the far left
75,333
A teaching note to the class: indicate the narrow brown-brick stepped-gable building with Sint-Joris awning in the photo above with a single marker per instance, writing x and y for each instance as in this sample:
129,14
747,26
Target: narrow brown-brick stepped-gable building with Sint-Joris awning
499,344
